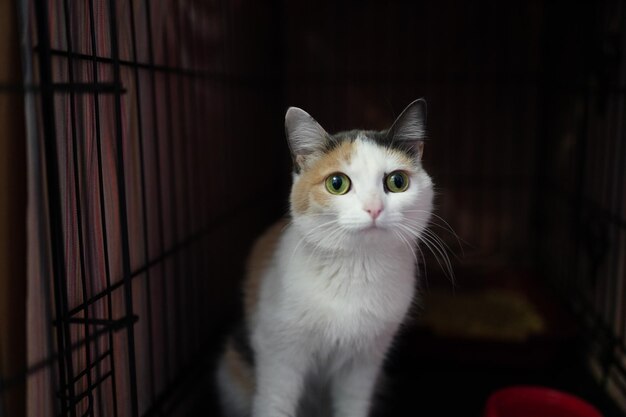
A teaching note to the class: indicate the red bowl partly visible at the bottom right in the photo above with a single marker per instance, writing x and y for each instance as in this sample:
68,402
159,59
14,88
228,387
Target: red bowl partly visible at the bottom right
528,401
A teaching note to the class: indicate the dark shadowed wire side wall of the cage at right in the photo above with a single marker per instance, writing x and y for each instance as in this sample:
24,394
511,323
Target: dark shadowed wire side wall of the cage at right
582,177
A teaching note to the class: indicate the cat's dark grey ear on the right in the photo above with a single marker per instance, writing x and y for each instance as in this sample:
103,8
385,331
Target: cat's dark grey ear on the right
409,129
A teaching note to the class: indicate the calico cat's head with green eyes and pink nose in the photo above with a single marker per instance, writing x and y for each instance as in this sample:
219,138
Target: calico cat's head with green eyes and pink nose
360,186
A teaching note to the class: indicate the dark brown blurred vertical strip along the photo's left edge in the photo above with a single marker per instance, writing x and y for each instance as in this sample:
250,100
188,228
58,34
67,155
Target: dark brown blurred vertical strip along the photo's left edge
14,214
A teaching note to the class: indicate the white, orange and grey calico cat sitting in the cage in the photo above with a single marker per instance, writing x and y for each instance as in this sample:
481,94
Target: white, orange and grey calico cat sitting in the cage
327,290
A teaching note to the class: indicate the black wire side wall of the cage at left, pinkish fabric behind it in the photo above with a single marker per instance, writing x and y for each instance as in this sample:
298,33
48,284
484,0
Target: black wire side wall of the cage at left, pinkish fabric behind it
146,203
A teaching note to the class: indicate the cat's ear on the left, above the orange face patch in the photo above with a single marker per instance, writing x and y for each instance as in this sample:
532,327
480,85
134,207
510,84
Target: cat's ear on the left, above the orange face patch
304,135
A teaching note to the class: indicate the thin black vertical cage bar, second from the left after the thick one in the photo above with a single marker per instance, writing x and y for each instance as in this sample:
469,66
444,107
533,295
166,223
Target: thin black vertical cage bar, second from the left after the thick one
77,197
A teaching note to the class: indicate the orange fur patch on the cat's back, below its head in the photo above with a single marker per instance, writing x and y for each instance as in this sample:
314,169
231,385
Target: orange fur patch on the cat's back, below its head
261,254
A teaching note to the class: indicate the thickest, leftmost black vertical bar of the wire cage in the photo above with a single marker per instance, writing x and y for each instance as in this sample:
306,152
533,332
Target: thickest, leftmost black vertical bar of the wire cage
54,198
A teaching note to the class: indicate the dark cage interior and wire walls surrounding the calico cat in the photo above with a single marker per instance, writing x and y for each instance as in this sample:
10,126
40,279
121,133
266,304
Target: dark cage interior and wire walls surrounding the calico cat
142,151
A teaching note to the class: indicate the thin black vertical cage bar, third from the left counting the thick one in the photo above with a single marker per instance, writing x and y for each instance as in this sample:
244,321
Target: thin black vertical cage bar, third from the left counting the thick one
103,220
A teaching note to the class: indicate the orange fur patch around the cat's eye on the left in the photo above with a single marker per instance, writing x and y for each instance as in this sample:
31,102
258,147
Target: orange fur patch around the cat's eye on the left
310,187
